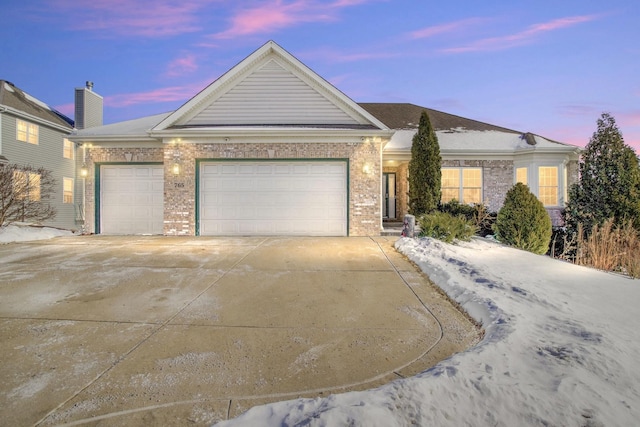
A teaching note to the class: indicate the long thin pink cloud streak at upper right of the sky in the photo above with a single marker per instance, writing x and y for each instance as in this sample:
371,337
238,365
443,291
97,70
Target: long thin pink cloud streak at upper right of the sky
521,38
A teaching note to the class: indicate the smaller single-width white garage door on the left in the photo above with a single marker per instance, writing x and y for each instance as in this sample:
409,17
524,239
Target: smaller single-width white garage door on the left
131,199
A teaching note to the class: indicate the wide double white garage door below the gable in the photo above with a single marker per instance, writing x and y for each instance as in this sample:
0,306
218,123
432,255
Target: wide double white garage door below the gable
273,198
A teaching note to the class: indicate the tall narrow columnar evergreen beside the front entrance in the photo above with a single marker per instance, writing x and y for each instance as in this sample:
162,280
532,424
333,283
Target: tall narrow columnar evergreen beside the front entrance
425,174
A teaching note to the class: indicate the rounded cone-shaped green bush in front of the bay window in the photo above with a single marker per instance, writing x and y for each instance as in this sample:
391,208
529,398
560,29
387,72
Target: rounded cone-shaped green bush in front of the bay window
523,221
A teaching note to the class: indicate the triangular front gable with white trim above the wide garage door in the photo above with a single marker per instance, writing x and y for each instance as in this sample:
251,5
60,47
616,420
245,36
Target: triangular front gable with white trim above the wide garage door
270,88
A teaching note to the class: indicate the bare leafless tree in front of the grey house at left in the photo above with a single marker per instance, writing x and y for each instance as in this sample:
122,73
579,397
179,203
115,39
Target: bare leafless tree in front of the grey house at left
25,194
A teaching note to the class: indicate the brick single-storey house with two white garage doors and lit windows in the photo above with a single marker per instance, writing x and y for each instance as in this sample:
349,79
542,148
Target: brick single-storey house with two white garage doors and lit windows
271,148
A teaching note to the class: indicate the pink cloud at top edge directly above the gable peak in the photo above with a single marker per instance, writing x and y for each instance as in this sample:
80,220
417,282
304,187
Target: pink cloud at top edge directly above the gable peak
277,14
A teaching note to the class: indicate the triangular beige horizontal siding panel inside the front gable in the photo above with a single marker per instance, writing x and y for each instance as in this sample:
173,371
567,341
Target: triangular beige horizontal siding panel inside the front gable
272,95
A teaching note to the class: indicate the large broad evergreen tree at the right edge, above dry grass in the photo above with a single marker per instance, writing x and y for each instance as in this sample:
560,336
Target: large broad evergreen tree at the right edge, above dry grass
609,185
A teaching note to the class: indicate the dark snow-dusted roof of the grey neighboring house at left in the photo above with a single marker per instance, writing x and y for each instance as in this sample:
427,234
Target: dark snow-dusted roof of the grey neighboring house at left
19,101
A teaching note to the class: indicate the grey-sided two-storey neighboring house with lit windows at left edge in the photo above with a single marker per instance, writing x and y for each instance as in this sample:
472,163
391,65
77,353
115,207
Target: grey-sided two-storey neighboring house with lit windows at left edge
34,134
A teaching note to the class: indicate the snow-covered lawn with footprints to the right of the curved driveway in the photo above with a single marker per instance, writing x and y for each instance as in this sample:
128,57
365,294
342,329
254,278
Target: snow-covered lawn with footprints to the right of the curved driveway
561,349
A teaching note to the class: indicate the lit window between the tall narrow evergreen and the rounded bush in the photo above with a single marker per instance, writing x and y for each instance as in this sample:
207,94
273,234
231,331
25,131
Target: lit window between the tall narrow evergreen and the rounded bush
462,184
